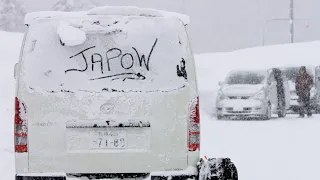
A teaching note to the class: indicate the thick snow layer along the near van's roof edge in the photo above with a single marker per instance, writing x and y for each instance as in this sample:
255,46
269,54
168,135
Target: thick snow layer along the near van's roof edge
108,10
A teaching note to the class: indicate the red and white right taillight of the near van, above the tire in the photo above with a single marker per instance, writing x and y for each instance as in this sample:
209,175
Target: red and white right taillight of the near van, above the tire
194,126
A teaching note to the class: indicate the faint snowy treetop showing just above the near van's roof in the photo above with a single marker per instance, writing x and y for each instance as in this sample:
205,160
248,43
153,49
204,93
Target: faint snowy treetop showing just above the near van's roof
73,5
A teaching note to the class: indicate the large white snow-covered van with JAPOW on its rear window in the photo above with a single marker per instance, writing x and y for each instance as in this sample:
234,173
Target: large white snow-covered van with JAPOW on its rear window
107,93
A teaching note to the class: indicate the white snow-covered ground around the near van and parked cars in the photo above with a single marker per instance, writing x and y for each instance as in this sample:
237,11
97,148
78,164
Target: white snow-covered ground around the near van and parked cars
279,149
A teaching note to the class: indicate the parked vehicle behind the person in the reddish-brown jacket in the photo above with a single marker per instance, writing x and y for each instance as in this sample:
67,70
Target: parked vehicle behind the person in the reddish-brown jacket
291,74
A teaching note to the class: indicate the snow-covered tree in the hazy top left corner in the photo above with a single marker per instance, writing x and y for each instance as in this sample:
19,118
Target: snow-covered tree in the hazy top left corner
11,16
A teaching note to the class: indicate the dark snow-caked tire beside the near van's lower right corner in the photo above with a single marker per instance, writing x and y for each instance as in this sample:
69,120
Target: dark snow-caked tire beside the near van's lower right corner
217,169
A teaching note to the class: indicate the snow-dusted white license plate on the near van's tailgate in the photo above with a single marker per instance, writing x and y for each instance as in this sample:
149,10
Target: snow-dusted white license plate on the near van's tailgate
109,140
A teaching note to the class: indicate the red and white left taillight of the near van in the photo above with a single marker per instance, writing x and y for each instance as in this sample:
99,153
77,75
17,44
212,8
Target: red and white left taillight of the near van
20,127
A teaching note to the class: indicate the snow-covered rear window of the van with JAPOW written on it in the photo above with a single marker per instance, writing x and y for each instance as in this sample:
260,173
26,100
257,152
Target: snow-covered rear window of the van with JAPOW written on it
119,54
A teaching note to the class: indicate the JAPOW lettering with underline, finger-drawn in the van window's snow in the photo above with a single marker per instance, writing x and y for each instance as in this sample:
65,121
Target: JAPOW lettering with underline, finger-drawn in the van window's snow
103,62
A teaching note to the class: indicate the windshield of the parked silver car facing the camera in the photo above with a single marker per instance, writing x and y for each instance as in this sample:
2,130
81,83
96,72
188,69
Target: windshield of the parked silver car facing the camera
246,77
